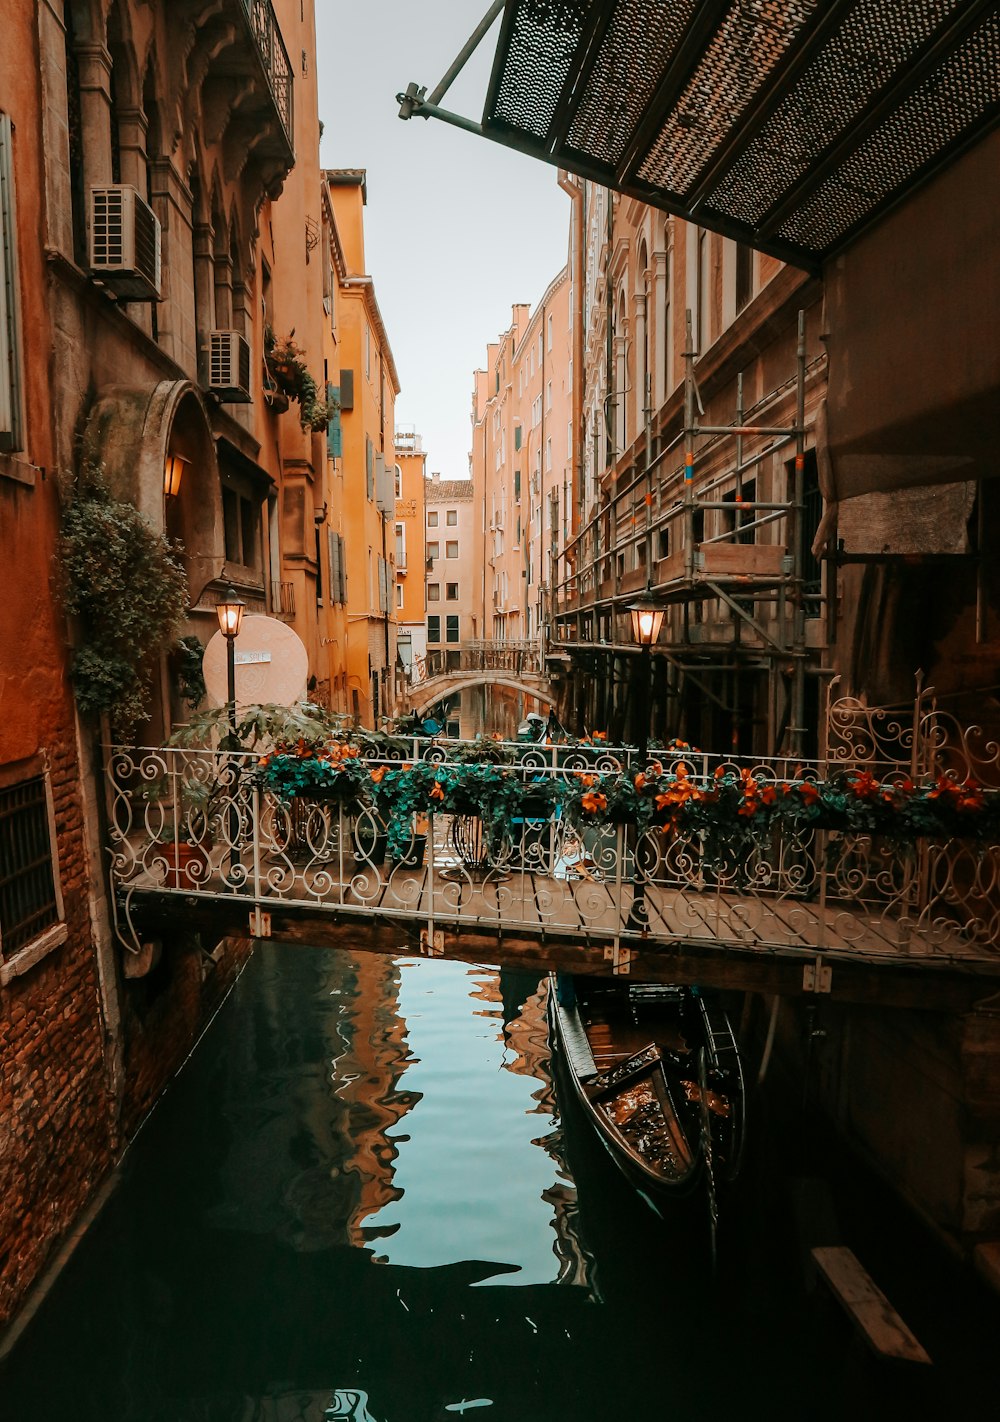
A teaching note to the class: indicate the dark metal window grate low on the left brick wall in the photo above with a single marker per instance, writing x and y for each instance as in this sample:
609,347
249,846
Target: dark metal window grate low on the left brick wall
28,888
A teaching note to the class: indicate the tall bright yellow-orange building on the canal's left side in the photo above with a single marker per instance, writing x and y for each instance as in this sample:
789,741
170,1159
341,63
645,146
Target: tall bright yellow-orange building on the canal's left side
369,386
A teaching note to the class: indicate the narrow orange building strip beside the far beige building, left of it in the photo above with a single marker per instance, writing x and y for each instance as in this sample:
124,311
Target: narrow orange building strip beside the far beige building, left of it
410,591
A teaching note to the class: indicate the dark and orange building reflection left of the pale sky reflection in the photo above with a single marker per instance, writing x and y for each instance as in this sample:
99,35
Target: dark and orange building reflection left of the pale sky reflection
321,1157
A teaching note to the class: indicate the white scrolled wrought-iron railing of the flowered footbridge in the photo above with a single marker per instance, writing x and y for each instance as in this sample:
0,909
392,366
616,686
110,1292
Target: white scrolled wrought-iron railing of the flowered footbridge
206,824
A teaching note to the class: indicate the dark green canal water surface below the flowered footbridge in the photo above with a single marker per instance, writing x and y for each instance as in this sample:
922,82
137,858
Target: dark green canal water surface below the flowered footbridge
366,1197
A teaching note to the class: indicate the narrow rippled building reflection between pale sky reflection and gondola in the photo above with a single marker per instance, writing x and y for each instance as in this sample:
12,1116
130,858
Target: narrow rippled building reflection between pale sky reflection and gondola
520,1006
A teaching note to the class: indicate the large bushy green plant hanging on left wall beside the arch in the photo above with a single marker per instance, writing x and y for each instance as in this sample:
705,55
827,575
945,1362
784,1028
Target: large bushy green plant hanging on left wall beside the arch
127,587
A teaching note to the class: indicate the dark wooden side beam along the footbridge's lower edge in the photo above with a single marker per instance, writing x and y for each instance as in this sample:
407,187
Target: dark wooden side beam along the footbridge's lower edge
907,985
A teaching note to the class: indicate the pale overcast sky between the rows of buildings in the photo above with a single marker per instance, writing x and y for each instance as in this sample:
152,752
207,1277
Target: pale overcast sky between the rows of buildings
457,230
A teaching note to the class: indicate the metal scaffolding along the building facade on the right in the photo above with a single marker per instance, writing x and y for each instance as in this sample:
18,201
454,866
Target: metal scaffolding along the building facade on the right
691,521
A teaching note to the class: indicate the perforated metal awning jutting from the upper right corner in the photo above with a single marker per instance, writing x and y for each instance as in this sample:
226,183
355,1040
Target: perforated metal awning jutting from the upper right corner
786,124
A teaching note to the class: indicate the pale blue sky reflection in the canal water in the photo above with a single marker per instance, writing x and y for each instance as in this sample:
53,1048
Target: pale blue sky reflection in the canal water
472,1181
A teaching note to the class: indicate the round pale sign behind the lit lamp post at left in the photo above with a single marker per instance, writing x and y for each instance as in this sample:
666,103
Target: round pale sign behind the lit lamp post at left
272,665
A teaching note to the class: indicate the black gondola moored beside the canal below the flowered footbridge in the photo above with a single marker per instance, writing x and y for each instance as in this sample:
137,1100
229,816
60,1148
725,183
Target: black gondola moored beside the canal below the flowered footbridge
658,1070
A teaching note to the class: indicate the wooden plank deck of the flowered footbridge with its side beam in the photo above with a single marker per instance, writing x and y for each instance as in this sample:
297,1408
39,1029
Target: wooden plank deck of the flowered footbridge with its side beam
527,919
